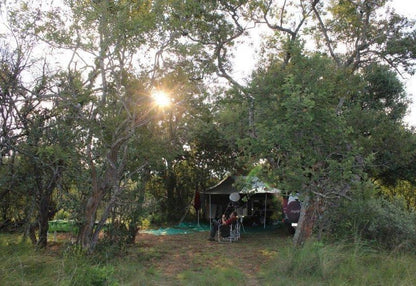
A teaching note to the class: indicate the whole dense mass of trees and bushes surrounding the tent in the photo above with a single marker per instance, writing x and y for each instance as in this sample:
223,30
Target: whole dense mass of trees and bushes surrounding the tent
322,114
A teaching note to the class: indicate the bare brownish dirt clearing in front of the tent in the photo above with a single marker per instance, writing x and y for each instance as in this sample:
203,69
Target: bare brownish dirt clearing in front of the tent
194,251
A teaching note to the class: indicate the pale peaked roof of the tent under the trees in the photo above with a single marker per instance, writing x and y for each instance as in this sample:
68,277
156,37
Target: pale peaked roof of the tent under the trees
253,186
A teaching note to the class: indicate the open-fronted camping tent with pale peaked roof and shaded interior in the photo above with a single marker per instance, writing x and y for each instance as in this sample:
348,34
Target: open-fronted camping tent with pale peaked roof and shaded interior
253,199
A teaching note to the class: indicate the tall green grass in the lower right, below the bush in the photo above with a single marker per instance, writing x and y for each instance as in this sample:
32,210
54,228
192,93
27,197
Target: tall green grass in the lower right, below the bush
340,264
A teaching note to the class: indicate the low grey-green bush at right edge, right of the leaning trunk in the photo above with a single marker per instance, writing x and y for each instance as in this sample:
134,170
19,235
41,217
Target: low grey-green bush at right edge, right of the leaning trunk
388,224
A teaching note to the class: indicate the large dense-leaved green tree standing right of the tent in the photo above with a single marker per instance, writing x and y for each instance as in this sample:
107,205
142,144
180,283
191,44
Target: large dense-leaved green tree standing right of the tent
356,40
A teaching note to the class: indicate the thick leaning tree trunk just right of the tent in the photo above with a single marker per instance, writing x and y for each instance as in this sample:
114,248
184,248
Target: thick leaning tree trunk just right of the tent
306,222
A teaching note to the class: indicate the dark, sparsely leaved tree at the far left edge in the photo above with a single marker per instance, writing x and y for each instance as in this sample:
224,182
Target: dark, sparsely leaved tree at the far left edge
32,145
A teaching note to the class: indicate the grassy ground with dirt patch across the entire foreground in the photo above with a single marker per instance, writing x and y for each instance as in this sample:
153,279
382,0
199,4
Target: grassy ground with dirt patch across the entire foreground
257,259
